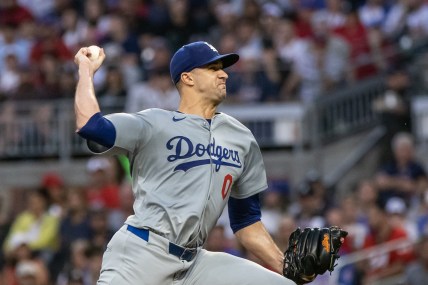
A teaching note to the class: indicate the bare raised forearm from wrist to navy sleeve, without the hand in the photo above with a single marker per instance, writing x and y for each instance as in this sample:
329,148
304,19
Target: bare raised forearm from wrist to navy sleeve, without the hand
85,104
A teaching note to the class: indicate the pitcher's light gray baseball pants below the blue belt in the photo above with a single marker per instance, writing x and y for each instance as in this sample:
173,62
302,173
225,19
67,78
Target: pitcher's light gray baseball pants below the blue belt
130,260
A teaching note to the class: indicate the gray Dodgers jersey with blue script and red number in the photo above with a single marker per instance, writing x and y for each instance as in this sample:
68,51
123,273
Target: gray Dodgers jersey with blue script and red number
184,169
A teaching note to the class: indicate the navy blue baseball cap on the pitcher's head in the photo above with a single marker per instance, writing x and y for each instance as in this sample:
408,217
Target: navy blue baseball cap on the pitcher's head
197,54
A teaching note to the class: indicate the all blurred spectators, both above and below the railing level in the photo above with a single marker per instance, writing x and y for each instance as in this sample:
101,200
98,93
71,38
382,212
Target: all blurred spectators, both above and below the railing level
291,50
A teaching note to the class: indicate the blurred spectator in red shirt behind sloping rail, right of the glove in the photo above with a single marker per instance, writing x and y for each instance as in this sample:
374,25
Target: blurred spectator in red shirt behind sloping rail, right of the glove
382,231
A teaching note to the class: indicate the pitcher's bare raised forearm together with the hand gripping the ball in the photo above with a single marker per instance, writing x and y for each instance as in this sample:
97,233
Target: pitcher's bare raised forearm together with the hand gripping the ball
85,102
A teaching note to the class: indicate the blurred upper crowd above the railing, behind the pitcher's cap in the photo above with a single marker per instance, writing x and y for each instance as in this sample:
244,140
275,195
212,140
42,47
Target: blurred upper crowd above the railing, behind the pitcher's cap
290,49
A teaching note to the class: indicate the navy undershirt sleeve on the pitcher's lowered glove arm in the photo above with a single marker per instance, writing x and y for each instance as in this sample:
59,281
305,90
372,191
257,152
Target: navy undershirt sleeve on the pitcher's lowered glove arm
244,212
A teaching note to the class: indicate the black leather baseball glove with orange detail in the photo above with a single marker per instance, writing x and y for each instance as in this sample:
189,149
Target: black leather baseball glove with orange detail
311,252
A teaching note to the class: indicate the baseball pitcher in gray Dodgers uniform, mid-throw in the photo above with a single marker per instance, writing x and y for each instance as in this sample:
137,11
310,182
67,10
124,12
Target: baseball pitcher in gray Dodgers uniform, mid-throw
186,166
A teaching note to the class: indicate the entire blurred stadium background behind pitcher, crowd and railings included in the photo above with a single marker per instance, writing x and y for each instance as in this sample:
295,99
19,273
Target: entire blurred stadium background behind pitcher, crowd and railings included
335,92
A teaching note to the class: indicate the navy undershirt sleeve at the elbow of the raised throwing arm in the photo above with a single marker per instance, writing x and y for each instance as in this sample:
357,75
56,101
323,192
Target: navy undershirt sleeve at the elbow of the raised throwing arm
100,130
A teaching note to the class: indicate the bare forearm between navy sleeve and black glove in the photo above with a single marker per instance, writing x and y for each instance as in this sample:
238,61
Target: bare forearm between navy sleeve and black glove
258,241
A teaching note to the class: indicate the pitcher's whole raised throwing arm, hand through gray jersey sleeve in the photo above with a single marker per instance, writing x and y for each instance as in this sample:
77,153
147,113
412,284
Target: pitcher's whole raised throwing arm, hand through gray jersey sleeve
117,133
